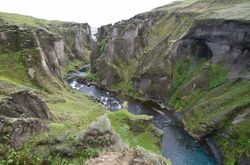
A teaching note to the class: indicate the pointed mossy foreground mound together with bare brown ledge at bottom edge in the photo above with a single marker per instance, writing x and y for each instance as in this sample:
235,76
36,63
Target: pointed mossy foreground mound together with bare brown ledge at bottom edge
102,145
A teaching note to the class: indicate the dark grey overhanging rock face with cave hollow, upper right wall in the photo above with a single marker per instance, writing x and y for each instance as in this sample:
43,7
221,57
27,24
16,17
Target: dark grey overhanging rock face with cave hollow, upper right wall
227,43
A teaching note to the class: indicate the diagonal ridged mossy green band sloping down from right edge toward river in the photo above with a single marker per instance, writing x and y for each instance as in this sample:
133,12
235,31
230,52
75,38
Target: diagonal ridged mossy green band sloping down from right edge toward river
218,105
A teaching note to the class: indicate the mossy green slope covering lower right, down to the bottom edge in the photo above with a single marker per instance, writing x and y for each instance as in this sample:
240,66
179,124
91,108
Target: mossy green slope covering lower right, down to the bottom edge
216,108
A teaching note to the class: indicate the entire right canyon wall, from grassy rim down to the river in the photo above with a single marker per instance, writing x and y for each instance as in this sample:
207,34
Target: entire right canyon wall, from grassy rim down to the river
193,55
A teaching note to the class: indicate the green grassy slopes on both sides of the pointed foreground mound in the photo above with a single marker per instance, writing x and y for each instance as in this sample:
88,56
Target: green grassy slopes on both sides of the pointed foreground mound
74,112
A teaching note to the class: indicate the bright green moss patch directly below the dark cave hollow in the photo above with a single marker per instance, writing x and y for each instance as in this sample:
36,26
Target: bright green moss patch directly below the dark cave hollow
192,80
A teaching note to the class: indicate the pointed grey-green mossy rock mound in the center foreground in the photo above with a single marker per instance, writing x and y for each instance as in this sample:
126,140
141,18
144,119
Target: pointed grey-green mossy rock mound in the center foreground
98,137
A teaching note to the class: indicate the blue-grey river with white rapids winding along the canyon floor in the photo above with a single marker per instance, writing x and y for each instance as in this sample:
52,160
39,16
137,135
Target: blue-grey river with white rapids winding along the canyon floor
177,144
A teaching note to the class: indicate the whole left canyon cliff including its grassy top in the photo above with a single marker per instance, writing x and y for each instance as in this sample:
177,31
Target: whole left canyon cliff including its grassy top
41,48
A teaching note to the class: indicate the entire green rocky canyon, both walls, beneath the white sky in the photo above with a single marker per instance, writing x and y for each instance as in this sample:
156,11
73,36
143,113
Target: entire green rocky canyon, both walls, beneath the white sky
191,58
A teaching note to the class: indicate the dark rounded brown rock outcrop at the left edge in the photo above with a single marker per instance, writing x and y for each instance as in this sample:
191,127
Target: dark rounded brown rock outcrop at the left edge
21,116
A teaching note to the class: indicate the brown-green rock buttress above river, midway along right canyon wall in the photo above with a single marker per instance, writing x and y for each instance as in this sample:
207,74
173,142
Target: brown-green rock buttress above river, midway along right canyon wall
154,73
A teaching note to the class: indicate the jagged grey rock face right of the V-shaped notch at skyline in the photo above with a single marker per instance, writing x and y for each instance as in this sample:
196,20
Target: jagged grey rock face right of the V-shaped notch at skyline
118,44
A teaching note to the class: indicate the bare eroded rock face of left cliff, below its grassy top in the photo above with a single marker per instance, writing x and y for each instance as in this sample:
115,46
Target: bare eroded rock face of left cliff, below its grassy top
46,49
